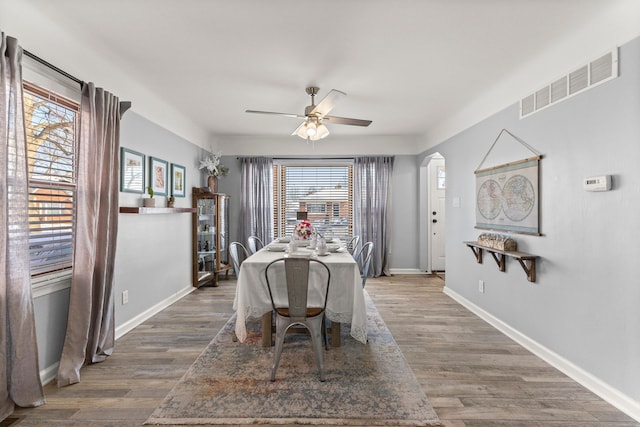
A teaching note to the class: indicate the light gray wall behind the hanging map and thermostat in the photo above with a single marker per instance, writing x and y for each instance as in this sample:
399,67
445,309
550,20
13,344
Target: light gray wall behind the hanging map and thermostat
584,305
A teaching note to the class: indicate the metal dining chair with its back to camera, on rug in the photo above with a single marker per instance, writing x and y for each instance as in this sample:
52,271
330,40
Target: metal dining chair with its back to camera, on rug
296,308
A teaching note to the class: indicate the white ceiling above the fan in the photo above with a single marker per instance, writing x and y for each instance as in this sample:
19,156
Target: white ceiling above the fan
410,66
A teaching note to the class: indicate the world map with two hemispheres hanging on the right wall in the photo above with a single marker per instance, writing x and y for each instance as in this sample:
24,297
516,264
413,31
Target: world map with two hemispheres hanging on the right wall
507,197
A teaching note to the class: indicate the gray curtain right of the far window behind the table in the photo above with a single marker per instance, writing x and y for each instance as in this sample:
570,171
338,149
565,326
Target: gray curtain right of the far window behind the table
371,207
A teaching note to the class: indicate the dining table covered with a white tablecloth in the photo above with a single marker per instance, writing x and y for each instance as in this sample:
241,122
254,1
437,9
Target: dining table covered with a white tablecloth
345,300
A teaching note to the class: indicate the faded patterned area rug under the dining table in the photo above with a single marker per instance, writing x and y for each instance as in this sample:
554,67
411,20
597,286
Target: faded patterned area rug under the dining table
366,385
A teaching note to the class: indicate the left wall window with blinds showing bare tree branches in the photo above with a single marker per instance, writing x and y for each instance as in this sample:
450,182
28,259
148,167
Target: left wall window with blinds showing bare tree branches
51,124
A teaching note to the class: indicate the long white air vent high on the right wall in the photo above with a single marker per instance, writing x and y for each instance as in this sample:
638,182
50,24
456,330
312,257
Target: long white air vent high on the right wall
592,74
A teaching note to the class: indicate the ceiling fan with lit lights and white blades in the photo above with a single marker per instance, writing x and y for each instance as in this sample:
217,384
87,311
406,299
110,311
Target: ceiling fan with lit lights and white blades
313,127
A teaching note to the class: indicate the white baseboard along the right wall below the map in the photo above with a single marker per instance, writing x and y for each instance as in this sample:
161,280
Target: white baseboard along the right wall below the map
612,395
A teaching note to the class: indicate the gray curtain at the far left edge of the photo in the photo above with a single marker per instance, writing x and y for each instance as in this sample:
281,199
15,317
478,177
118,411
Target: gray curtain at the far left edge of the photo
19,370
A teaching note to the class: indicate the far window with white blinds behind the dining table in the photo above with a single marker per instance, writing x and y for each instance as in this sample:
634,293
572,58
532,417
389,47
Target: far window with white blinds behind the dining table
323,190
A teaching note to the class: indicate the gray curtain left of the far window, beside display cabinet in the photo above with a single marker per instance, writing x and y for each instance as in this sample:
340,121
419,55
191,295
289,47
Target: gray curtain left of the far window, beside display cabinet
256,200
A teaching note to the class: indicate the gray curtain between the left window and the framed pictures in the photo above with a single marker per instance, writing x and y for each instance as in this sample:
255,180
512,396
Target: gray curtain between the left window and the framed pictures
90,324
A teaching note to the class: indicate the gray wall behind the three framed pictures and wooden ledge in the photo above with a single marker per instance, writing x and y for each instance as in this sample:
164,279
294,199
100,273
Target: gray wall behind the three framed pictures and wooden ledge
153,257
